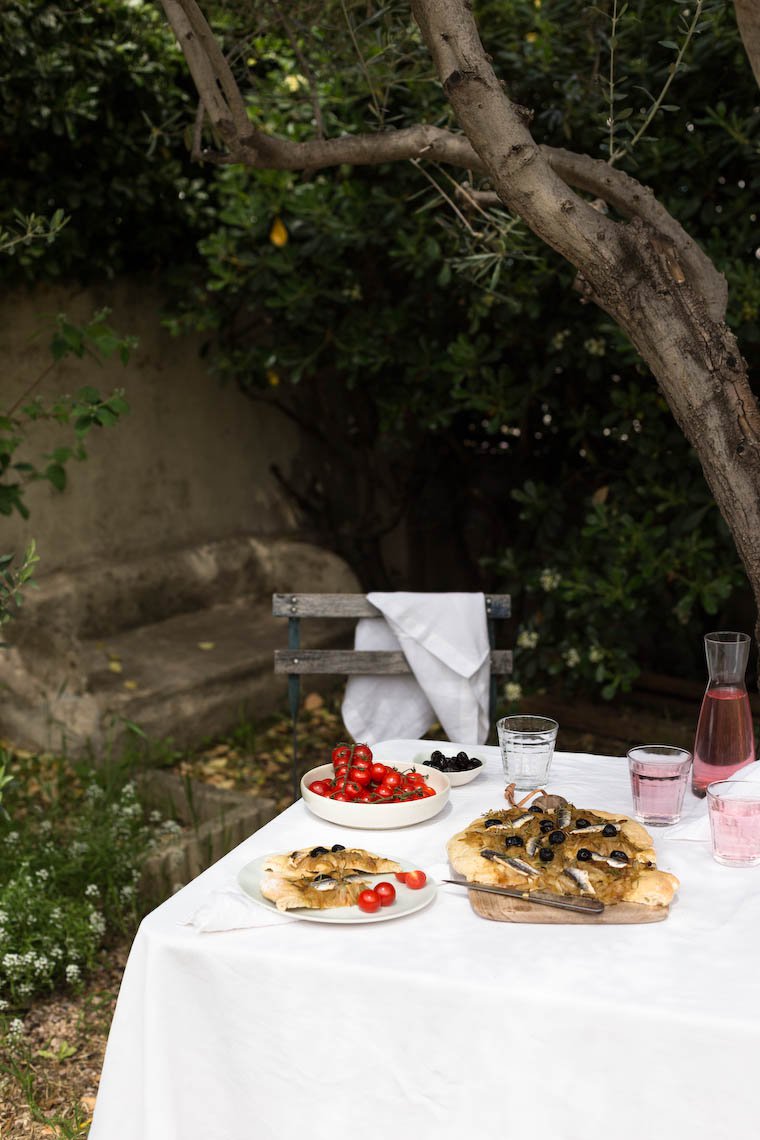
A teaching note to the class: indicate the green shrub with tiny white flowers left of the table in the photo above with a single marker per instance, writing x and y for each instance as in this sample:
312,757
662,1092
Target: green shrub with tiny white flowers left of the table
70,859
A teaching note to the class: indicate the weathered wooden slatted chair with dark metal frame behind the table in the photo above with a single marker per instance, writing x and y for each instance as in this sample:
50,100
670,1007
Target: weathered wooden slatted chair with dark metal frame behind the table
297,662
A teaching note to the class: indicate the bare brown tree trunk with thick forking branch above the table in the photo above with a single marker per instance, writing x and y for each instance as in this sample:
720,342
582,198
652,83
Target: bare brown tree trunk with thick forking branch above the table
645,272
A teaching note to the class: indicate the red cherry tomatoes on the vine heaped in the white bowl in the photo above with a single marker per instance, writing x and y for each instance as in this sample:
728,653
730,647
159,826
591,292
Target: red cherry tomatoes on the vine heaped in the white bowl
359,780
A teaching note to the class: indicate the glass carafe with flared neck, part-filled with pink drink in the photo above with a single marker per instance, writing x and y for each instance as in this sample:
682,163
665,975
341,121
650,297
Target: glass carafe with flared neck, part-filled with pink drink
724,742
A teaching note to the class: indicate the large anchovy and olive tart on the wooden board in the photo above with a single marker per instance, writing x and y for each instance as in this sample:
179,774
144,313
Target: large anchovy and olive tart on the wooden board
570,851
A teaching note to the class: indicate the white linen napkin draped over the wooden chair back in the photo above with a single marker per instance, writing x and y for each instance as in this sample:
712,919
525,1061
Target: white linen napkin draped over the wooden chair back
445,640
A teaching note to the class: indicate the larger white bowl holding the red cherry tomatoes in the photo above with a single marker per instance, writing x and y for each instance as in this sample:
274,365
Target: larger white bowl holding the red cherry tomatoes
373,817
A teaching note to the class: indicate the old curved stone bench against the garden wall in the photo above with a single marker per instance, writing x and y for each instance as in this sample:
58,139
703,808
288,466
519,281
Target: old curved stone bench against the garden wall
178,644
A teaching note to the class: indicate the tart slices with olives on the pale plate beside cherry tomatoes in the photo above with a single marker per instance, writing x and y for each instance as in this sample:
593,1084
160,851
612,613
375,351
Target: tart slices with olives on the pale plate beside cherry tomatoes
321,878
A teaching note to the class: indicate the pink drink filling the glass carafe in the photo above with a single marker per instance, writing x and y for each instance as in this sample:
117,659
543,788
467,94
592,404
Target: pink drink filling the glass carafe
725,742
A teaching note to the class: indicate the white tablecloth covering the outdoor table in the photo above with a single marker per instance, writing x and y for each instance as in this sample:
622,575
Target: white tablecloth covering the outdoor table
442,1024
